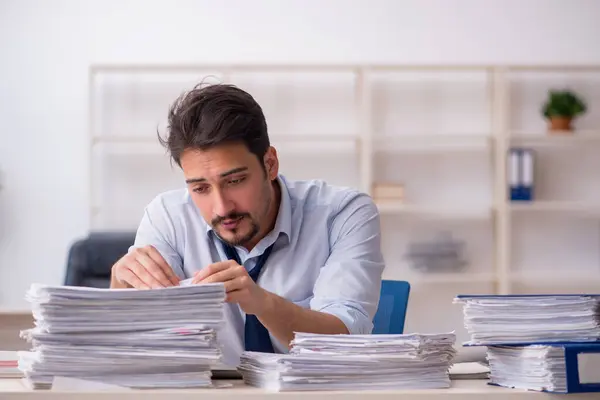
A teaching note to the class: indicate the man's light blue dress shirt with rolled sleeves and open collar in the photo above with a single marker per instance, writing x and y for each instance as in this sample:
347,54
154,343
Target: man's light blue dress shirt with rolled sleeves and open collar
327,253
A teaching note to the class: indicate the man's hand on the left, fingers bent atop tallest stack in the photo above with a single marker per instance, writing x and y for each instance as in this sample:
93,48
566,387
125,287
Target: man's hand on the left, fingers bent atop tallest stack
143,268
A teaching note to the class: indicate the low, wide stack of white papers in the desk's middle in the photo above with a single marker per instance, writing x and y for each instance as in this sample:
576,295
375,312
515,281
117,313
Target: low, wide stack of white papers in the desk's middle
319,362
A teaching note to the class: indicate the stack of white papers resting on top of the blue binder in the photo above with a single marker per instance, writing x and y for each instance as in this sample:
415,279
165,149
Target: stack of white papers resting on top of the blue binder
531,319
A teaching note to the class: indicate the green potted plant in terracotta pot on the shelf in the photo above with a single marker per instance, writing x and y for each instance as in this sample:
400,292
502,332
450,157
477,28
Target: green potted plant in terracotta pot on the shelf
561,107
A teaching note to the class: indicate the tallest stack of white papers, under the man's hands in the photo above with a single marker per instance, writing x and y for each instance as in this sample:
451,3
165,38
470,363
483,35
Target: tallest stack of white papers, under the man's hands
126,337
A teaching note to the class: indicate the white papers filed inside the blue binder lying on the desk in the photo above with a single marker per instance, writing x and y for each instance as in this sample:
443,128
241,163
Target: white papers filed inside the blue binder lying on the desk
535,367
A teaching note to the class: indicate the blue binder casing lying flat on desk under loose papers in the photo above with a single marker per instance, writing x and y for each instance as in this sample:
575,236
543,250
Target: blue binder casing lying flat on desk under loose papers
583,376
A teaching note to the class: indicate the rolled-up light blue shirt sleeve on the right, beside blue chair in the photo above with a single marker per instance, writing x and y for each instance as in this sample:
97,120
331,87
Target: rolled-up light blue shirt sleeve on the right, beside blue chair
349,283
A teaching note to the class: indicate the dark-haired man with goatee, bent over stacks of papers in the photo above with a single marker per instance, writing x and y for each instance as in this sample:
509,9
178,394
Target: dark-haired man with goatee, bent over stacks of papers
317,247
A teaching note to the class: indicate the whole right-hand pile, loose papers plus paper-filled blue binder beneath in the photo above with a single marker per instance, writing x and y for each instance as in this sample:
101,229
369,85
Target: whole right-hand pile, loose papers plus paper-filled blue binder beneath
537,342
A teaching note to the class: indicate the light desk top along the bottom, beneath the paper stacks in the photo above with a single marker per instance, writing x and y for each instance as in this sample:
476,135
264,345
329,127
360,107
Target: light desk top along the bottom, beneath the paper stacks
13,389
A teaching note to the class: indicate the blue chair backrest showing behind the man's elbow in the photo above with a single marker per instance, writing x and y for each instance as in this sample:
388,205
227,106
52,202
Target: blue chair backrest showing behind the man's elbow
391,312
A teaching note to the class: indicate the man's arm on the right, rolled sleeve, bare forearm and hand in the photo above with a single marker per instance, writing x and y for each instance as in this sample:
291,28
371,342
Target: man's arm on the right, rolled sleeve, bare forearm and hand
346,294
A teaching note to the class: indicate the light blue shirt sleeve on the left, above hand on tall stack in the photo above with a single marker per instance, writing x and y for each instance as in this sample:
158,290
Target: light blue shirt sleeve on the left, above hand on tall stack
157,229
